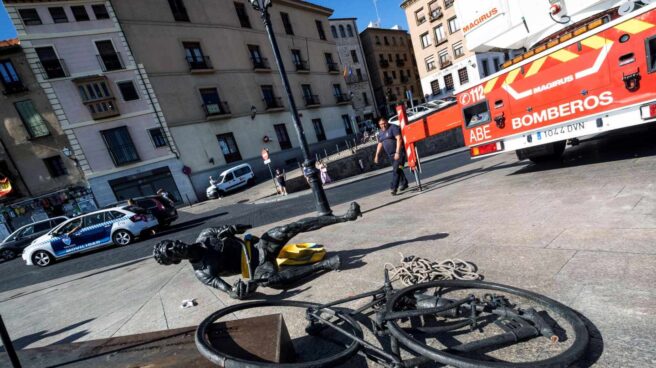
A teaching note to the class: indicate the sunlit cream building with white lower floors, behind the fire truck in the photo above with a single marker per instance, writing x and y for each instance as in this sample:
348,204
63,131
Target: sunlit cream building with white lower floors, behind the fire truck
444,62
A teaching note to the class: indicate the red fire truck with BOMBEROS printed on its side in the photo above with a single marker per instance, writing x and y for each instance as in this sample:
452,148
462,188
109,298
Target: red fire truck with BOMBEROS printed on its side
594,76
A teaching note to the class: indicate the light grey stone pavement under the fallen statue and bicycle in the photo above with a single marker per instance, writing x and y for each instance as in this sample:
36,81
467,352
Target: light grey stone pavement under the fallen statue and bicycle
583,235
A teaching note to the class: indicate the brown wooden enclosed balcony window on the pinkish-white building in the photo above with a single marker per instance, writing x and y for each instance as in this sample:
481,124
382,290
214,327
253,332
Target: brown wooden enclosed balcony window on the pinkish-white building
97,96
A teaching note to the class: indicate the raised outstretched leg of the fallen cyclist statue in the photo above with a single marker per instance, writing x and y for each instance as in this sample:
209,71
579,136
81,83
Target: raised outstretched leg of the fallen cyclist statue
274,239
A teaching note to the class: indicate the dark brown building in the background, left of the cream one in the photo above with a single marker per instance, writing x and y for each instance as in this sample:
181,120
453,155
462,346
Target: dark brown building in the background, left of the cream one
392,68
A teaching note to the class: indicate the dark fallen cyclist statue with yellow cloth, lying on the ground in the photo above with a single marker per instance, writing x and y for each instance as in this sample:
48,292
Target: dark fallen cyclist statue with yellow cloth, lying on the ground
218,252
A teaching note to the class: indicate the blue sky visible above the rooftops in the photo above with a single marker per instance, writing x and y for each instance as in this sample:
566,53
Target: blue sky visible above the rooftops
390,14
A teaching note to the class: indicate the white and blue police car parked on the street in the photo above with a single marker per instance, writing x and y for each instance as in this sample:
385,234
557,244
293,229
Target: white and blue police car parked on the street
96,229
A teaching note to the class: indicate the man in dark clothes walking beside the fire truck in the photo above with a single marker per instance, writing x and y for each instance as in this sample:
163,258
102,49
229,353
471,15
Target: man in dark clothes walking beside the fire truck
389,139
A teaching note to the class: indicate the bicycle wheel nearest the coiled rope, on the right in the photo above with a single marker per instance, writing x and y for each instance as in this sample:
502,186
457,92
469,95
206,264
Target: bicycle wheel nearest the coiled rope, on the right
447,352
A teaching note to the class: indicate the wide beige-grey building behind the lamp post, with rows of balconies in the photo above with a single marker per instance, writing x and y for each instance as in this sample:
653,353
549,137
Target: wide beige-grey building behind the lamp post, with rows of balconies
214,72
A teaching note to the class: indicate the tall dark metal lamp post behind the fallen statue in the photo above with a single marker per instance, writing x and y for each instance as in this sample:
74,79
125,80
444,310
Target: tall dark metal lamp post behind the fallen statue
309,168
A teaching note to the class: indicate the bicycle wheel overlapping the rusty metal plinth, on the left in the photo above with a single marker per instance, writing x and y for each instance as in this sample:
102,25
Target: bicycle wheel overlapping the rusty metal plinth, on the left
228,361
